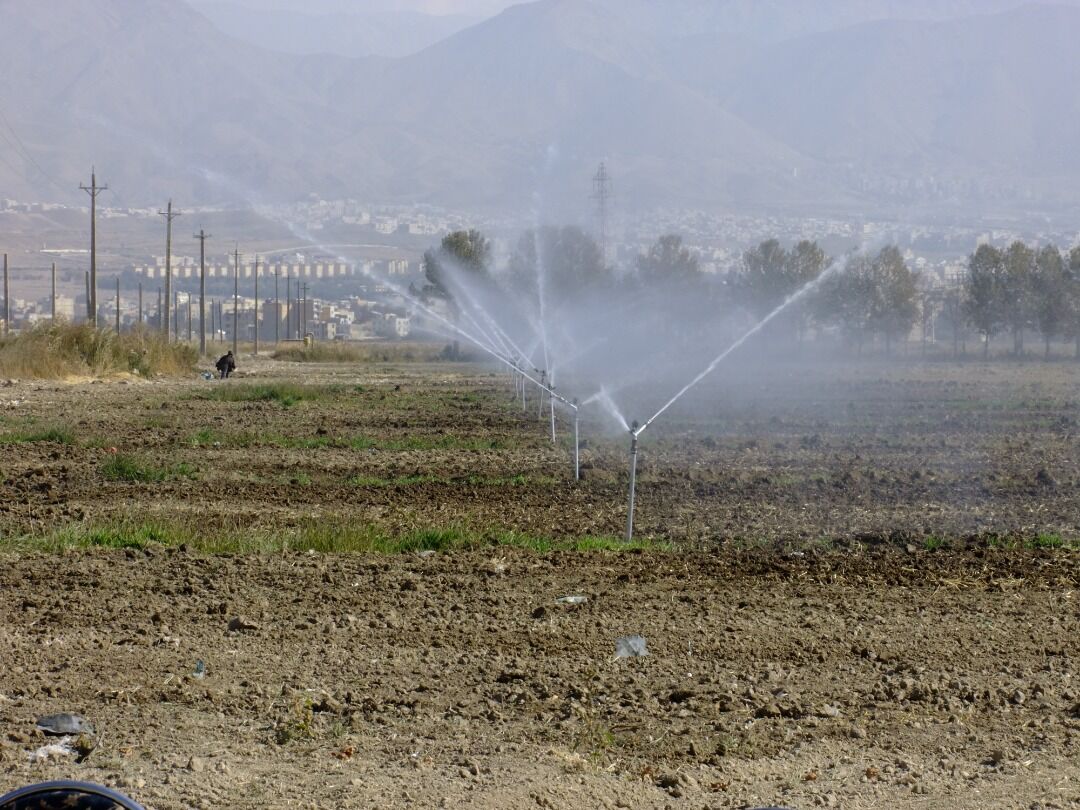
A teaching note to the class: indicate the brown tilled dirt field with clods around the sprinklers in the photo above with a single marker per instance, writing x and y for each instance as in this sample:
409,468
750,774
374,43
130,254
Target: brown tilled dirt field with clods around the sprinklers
812,641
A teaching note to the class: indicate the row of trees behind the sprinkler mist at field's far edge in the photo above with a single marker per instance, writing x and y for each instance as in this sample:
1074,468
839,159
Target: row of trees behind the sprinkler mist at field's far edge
863,299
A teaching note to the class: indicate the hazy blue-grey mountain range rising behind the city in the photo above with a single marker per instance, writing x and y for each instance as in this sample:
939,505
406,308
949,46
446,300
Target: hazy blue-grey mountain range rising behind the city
870,106
